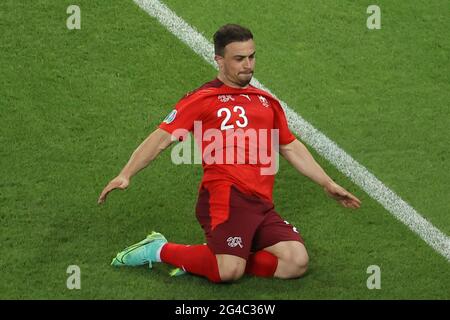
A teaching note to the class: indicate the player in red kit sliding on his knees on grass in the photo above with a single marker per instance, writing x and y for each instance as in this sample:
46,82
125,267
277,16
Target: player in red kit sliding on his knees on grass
244,233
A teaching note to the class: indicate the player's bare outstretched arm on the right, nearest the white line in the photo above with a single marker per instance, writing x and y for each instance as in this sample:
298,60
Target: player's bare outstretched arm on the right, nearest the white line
301,159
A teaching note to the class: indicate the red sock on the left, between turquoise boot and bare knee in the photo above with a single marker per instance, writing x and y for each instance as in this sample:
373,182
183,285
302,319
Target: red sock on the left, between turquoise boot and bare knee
196,259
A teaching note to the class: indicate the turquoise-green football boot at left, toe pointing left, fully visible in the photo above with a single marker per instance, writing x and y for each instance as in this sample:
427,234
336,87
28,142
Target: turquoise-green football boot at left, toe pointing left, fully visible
140,253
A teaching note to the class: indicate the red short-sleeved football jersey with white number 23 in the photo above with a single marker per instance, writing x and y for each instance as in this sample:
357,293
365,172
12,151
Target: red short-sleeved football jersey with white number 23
217,112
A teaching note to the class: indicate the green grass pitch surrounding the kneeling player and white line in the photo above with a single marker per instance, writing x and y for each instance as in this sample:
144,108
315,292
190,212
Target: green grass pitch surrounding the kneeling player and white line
76,103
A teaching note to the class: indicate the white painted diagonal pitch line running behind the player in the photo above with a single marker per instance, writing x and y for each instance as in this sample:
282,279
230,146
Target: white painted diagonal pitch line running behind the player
313,137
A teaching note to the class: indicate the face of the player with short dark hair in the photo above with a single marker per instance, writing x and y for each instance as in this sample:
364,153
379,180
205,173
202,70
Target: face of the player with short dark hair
238,62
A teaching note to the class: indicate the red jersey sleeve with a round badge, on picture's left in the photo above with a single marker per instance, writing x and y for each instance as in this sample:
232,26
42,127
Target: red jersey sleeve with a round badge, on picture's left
180,121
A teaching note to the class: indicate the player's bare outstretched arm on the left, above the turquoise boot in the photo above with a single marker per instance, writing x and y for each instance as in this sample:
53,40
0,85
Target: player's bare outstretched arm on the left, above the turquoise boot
147,151
